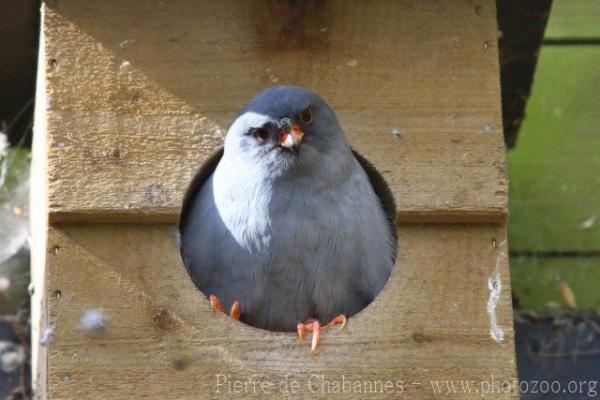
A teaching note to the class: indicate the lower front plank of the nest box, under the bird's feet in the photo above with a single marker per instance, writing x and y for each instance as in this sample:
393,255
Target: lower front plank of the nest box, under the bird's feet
431,322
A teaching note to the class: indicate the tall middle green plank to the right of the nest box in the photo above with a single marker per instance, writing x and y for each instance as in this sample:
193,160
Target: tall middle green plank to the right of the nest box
554,167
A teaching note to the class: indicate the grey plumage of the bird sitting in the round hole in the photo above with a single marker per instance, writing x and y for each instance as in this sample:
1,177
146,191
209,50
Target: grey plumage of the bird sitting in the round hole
291,236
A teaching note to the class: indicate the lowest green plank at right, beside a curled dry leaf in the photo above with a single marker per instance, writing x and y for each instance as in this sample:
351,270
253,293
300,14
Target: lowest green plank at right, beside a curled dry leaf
535,281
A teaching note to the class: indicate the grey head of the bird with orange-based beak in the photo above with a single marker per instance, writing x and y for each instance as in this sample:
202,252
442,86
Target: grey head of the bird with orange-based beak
288,129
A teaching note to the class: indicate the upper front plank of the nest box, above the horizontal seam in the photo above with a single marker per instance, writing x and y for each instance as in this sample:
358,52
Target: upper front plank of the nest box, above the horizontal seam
135,108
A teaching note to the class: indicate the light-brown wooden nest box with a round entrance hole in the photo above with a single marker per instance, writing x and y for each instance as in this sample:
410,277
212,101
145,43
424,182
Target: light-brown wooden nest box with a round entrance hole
133,97
